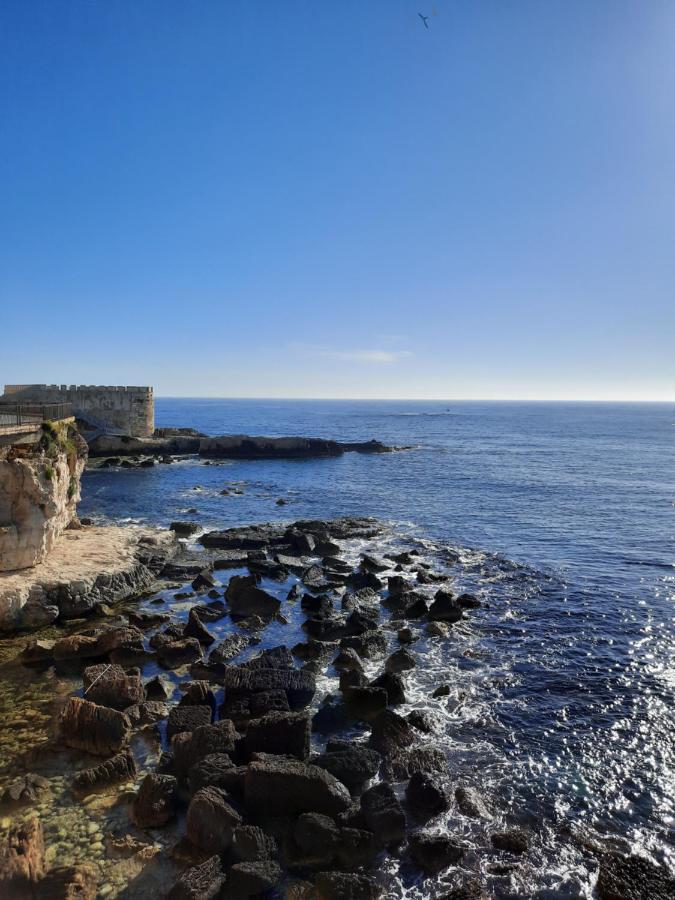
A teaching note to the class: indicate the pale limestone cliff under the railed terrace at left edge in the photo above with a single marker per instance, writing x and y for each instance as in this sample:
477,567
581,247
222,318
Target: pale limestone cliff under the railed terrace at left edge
39,492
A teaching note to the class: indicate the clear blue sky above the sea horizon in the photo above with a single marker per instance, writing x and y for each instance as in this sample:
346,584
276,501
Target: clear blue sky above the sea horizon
327,199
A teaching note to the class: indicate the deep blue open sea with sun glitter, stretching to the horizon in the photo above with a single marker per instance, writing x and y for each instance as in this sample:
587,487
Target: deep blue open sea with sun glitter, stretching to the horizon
562,704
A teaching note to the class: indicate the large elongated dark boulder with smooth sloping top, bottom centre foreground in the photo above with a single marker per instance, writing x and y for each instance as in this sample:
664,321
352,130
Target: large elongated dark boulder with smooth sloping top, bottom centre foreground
285,787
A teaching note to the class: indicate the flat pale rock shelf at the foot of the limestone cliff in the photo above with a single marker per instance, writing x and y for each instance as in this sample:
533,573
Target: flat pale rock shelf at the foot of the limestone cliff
86,567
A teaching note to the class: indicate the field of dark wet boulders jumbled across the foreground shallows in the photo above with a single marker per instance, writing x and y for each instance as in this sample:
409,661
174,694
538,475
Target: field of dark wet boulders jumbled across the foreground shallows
262,785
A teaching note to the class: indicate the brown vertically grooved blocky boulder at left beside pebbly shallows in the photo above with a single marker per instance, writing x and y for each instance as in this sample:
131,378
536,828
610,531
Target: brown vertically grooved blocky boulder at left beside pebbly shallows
95,729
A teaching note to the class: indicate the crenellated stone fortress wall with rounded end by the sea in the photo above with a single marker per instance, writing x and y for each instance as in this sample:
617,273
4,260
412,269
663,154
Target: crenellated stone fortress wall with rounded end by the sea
130,410
